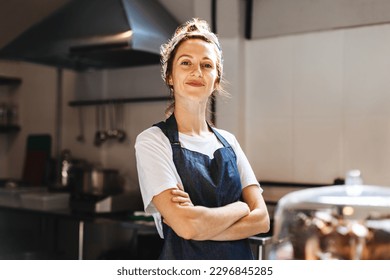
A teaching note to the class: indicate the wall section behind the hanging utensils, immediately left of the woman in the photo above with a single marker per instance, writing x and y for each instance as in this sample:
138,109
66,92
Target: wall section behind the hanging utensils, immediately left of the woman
131,82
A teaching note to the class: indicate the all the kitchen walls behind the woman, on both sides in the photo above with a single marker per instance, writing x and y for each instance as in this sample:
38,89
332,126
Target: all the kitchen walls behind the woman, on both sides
309,90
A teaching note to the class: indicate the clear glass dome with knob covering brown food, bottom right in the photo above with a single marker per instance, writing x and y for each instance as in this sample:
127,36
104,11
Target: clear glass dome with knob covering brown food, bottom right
350,221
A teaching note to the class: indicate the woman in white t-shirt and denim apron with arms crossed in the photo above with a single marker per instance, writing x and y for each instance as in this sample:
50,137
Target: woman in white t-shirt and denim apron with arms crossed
194,178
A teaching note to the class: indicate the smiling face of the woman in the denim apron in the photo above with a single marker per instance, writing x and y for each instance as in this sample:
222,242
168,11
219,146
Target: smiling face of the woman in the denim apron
194,70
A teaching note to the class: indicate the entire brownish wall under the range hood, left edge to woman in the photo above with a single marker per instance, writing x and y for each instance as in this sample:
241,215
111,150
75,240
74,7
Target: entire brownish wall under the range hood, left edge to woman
36,99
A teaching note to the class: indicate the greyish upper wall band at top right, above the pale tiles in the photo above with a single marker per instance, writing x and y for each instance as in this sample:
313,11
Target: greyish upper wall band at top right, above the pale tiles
283,17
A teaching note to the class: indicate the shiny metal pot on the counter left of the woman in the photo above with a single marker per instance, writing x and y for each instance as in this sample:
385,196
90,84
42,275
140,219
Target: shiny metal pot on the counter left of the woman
92,180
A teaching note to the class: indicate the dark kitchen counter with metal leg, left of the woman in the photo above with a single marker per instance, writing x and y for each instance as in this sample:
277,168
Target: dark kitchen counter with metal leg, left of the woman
130,226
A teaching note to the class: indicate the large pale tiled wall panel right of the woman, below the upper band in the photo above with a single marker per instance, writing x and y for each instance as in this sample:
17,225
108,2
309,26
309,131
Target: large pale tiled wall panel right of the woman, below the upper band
318,104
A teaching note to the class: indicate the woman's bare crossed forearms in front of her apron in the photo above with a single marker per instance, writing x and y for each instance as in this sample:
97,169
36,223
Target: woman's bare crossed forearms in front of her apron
233,221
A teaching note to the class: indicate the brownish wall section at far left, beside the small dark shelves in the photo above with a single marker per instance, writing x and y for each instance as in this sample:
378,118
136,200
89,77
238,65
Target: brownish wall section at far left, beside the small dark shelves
35,99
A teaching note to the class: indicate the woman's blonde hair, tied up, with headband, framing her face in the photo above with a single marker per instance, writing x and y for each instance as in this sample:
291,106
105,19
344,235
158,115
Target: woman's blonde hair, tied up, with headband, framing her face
193,29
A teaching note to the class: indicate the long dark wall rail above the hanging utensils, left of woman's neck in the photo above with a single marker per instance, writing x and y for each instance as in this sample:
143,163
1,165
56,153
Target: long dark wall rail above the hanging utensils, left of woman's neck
117,101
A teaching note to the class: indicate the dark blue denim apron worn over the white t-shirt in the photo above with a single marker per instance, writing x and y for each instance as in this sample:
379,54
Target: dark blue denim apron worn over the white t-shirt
210,183
